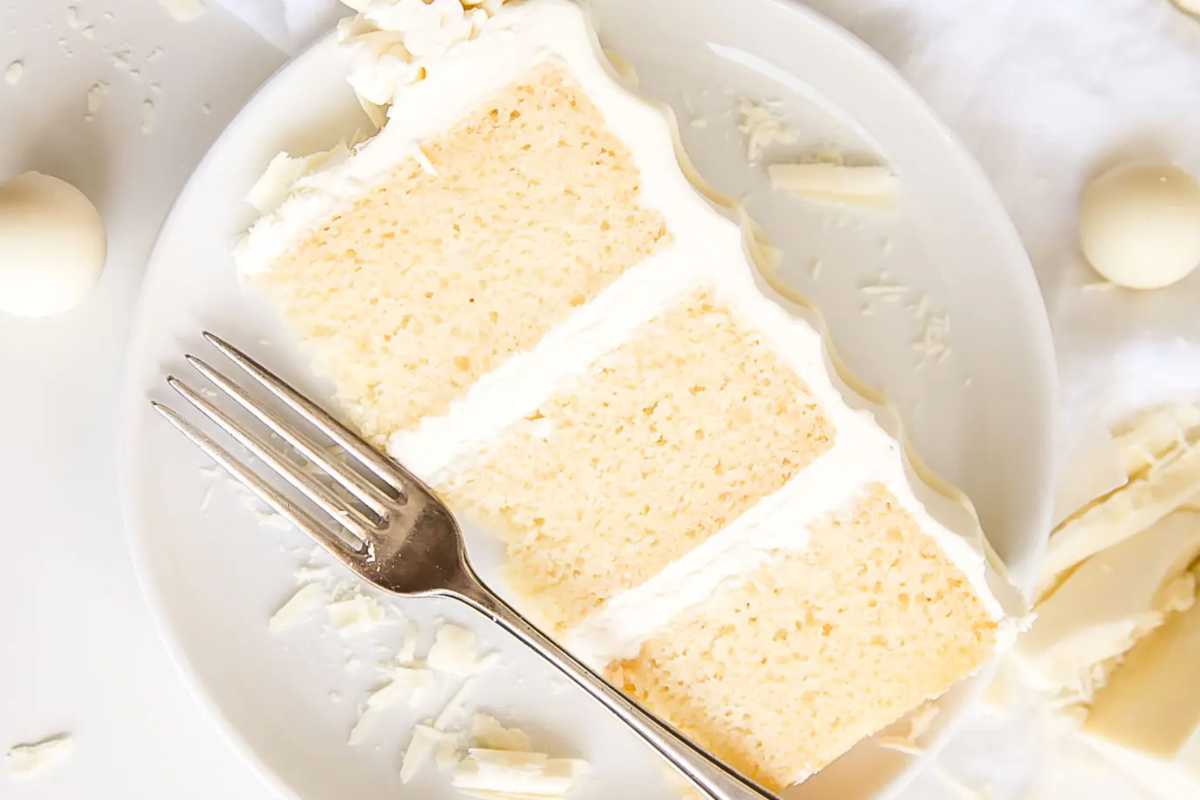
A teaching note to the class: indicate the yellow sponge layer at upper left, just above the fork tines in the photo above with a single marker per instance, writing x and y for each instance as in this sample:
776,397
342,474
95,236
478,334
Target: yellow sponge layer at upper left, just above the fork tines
523,213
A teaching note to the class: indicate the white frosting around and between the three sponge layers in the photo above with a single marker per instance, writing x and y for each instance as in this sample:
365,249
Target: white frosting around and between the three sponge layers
707,251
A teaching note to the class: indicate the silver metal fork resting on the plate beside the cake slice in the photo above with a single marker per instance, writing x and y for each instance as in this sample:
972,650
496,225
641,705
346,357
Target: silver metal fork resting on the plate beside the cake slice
393,532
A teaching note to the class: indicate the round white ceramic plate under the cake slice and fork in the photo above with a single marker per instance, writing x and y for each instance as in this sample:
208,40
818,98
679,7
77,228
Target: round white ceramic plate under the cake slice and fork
982,418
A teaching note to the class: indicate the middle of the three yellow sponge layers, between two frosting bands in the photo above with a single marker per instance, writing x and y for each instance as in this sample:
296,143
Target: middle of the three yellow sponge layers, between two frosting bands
662,444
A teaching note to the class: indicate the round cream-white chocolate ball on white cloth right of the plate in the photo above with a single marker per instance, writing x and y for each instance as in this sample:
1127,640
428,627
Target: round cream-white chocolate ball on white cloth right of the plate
1139,225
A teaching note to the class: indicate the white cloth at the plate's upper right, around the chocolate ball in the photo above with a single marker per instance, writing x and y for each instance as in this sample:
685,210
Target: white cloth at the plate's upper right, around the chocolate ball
1047,95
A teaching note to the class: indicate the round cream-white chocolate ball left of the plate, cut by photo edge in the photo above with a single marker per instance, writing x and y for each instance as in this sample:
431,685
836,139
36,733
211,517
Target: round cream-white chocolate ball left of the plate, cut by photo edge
52,246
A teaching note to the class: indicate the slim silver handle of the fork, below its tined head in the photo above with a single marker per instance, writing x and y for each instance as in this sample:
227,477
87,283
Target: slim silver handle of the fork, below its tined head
711,777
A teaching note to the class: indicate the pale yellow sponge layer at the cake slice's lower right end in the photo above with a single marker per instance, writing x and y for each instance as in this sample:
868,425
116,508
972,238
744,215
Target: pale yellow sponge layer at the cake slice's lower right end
783,671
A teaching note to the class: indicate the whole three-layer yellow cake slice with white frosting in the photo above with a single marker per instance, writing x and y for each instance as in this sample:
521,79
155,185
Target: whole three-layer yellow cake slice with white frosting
517,291
